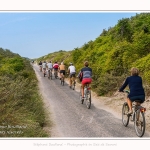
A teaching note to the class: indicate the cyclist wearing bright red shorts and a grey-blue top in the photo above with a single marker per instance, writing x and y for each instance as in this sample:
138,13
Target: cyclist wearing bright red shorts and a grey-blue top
86,74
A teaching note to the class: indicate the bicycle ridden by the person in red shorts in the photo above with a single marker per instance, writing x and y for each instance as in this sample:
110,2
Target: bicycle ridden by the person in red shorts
87,96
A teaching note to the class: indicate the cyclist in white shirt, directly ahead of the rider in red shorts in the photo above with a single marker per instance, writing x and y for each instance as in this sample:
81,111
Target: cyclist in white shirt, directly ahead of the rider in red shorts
72,72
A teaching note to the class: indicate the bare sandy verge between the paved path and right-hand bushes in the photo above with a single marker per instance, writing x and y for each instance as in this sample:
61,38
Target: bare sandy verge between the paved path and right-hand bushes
114,104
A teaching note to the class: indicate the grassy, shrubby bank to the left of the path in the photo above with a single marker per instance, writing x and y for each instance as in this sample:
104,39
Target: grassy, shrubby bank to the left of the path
21,107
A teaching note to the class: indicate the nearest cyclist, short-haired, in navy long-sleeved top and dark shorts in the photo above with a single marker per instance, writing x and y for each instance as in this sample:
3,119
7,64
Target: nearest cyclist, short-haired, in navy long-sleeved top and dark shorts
136,88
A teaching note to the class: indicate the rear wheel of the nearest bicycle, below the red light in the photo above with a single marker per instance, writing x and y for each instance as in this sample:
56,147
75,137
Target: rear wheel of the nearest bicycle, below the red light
139,123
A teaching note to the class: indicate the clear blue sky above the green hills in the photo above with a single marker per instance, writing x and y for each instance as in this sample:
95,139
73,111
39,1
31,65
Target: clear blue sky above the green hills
35,34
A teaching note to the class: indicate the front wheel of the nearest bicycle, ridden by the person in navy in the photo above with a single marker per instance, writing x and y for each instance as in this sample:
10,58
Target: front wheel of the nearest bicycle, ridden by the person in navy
125,117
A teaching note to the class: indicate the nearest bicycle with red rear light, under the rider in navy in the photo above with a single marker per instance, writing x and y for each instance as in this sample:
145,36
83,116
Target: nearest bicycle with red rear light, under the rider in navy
138,116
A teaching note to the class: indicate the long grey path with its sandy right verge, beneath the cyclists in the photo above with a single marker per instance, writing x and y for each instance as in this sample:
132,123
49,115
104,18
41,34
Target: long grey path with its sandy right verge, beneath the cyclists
103,108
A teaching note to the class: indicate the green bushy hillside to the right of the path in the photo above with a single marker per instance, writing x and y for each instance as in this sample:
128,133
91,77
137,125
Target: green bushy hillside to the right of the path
113,53
